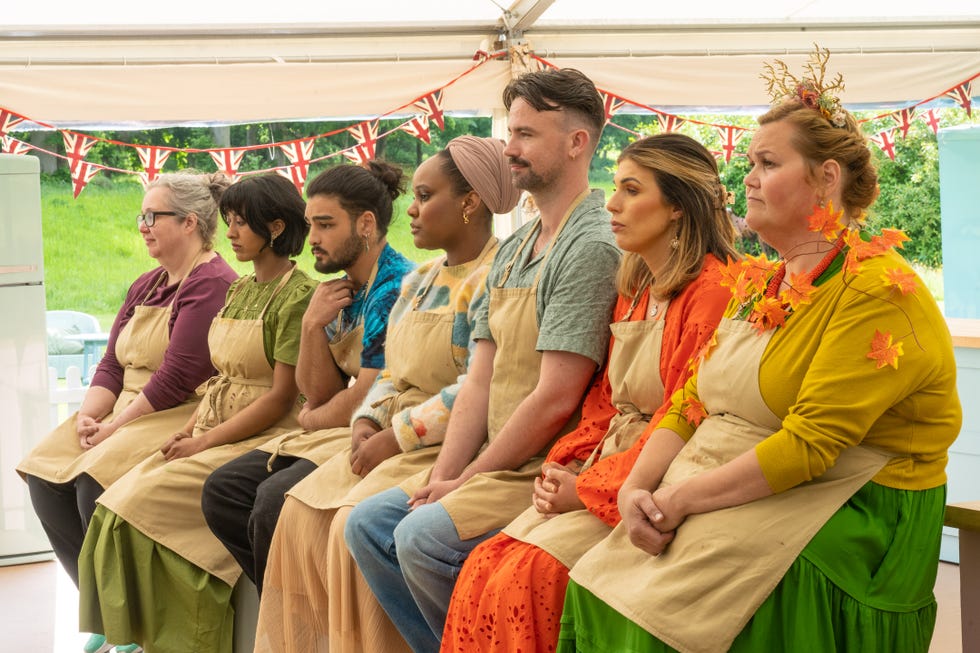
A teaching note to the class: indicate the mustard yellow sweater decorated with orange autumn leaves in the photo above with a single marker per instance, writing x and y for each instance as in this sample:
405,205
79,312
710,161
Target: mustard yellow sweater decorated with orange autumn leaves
815,375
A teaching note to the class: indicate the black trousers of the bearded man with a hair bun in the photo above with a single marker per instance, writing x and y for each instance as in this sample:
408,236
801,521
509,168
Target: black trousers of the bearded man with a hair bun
242,500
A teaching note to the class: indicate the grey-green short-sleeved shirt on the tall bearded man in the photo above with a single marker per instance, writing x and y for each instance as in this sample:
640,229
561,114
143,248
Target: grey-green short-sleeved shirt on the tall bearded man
577,289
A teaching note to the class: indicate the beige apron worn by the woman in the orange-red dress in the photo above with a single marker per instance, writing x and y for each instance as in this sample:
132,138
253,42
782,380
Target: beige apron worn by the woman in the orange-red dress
637,393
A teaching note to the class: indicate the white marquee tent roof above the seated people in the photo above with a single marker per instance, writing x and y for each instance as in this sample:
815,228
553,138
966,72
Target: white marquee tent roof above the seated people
112,62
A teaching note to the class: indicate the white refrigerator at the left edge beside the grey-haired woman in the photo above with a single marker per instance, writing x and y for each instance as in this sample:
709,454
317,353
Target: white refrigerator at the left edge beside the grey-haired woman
23,353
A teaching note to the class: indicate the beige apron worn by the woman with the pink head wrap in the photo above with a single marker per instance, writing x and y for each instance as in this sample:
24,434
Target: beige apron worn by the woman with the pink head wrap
420,361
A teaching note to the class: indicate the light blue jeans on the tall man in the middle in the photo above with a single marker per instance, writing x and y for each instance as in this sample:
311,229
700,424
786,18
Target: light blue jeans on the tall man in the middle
410,559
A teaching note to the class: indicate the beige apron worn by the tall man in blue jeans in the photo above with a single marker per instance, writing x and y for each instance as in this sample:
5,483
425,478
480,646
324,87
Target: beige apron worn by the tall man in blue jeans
490,500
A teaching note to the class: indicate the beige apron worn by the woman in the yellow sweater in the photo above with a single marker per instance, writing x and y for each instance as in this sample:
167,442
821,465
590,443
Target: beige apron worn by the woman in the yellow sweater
699,594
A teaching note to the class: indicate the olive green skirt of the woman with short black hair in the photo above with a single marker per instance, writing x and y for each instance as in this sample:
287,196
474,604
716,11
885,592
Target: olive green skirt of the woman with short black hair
132,589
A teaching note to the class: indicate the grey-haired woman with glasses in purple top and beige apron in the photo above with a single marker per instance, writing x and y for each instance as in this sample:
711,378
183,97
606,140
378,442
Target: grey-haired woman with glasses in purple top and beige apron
157,354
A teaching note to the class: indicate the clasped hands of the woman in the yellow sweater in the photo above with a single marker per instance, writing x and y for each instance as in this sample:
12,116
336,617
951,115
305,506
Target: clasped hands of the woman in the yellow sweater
651,520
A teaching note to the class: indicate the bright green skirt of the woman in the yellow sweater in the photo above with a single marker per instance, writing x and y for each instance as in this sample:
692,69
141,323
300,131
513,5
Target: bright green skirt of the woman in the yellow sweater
863,584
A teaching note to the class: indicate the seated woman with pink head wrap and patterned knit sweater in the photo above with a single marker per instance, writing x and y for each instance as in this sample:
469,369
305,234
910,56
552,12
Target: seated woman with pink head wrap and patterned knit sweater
314,598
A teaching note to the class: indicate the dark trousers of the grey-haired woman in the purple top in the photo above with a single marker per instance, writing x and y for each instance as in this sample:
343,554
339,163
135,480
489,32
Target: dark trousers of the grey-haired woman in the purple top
65,510
